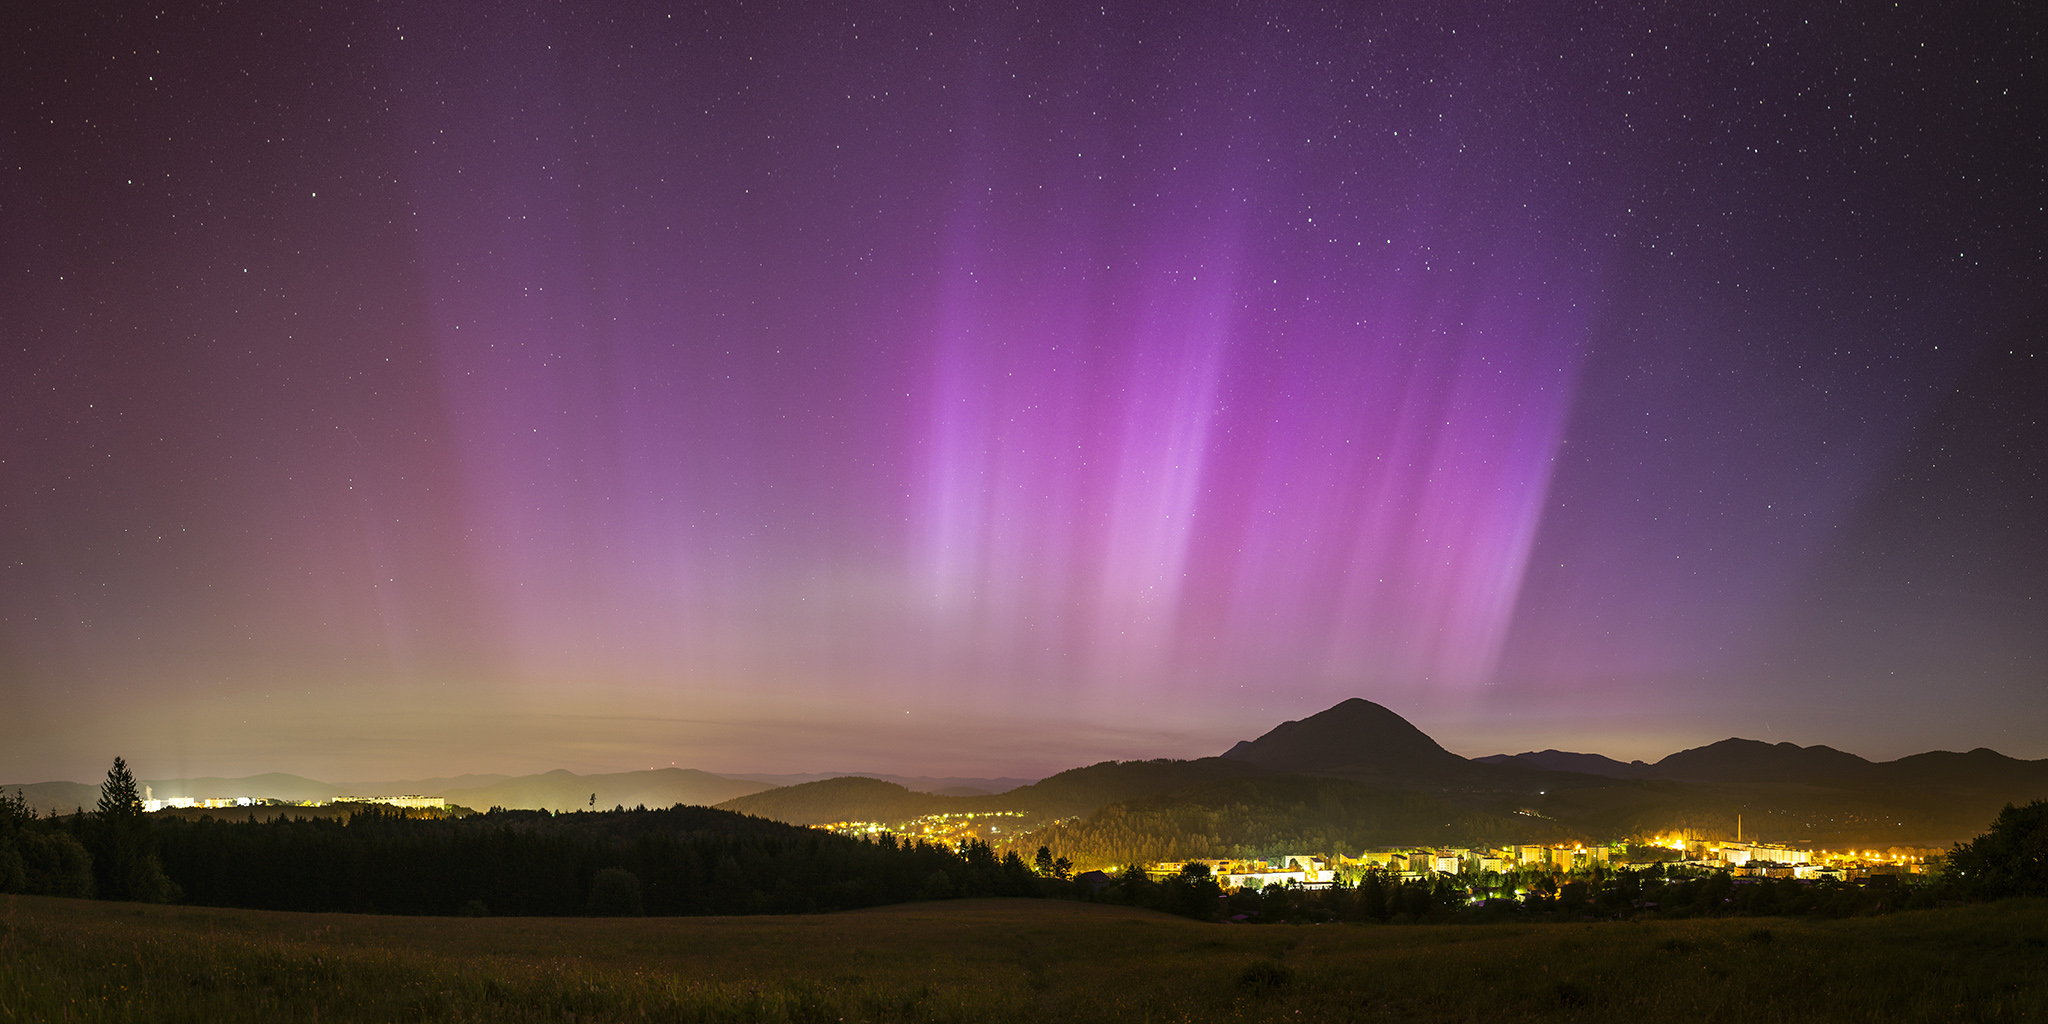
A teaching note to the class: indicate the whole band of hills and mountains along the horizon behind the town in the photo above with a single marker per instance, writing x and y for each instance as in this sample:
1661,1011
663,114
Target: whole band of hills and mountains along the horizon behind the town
1814,794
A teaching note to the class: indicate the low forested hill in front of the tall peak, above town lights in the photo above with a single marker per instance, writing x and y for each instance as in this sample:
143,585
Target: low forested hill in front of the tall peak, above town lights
1277,816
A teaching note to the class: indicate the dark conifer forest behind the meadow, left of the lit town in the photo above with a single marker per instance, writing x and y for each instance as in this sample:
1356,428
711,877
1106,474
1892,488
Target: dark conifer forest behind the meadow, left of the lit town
536,863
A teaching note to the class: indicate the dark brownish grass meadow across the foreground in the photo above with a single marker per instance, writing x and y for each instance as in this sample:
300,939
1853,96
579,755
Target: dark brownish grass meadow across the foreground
1009,962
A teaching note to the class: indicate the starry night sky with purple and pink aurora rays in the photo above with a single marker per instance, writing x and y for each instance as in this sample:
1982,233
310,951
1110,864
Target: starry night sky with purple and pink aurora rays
996,388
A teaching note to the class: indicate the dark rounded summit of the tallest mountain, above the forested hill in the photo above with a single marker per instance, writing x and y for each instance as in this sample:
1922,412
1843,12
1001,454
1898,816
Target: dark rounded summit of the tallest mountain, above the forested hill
1355,734
